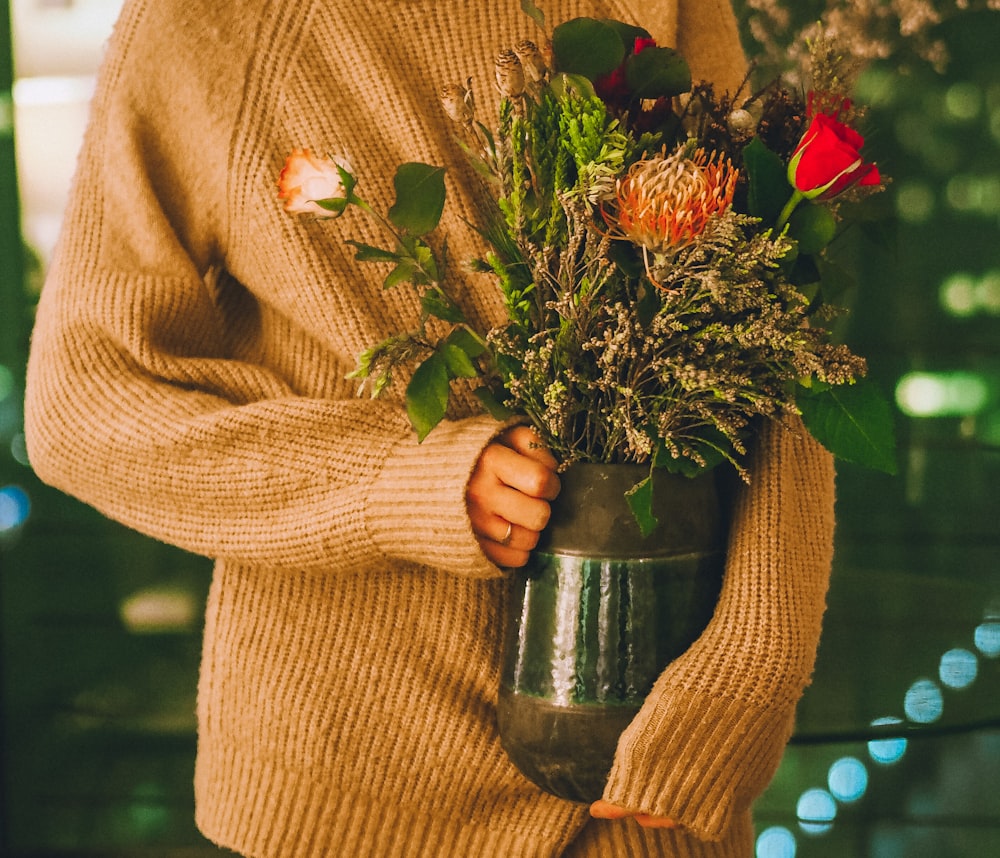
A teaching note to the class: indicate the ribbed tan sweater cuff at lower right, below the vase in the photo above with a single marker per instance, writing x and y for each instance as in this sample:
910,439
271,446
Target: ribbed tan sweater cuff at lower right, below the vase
670,781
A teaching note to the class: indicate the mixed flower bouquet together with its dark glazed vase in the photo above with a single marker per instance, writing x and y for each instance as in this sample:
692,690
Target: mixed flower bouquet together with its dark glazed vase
661,251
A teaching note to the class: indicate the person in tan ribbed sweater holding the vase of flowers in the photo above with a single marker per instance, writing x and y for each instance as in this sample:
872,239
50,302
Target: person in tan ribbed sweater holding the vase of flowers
187,377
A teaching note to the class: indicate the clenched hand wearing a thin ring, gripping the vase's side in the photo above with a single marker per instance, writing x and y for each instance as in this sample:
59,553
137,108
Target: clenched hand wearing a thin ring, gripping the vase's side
508,495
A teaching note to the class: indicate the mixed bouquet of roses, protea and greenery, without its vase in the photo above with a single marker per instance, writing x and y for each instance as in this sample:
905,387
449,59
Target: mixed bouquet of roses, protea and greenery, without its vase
661,251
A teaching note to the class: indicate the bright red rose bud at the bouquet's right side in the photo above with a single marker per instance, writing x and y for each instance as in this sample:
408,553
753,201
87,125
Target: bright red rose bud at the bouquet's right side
828,160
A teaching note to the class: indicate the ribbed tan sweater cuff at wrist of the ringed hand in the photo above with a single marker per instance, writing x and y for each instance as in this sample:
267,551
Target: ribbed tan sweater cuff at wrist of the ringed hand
417,511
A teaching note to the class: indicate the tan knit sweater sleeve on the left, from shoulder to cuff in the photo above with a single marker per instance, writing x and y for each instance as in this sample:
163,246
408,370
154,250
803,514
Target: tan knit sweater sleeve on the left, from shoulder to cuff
142,397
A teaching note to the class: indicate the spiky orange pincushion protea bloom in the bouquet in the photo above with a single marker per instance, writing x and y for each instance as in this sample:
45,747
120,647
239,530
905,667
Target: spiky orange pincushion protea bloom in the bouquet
664,203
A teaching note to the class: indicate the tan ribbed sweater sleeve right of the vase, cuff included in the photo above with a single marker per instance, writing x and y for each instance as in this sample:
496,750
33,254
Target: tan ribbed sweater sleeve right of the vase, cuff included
712,731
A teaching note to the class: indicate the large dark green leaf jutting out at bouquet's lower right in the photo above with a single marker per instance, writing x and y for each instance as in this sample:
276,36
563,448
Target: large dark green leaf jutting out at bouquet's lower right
853,422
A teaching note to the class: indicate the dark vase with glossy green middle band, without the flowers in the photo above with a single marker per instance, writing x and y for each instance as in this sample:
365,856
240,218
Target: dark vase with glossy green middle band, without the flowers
597,614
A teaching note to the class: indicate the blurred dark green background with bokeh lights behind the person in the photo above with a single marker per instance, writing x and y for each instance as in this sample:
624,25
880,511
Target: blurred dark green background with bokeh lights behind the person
898,747
